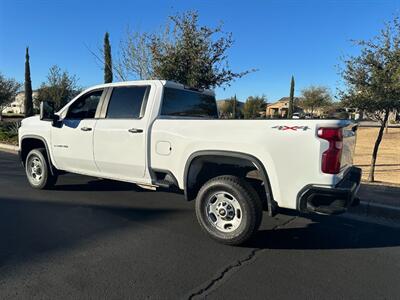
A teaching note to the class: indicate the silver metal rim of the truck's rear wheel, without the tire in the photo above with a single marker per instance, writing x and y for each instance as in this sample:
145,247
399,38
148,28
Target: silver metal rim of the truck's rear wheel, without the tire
224,212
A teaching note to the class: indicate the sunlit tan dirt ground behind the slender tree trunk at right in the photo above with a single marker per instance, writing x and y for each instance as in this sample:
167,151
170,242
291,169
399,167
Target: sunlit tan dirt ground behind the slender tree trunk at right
388,161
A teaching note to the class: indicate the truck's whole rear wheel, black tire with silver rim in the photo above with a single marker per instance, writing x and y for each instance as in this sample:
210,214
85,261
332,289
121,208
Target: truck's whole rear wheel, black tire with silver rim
249,203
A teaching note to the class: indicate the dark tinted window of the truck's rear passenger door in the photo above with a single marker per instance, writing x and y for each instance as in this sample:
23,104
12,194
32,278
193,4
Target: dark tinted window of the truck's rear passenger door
126,102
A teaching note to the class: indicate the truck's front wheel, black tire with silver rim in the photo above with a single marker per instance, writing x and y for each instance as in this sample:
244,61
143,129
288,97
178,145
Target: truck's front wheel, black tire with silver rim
43,179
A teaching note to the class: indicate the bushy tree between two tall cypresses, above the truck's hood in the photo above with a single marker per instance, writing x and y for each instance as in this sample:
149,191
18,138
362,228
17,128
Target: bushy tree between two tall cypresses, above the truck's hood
60,87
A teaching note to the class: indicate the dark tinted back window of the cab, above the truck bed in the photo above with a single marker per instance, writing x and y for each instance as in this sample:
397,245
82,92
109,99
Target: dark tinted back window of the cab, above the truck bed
188,104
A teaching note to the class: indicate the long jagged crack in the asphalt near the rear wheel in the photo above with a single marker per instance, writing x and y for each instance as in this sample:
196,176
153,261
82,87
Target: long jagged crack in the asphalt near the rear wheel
233,267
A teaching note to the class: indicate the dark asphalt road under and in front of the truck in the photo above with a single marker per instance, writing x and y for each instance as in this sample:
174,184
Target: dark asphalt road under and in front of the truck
91,238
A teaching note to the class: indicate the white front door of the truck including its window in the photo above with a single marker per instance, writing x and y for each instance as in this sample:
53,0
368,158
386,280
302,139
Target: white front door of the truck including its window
72,140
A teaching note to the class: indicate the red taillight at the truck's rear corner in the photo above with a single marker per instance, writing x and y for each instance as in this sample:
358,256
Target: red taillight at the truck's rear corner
331,157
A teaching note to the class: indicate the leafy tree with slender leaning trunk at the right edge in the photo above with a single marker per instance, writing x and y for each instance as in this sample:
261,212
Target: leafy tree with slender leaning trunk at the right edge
373,79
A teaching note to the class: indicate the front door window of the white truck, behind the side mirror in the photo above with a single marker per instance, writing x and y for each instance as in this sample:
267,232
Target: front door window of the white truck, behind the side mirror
85,107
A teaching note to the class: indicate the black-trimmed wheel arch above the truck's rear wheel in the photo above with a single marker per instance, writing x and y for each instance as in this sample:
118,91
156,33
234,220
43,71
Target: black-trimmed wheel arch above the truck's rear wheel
192,169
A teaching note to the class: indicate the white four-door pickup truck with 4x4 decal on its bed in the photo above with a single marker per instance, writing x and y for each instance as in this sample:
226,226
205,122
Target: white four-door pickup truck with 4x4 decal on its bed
161,134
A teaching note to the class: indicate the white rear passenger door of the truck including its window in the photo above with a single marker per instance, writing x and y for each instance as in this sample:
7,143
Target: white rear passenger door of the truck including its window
120,134
